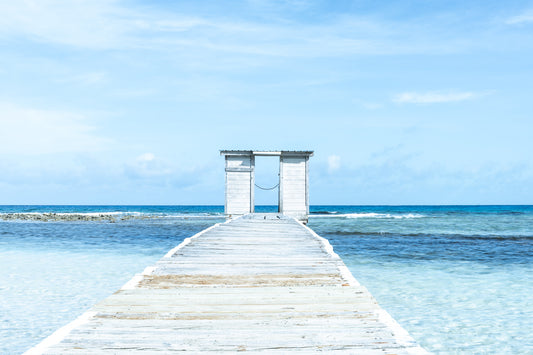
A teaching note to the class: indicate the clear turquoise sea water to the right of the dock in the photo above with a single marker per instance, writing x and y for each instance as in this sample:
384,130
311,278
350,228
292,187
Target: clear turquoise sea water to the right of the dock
457,278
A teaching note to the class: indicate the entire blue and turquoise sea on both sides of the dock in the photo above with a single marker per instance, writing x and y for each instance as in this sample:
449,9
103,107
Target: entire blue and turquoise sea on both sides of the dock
458,278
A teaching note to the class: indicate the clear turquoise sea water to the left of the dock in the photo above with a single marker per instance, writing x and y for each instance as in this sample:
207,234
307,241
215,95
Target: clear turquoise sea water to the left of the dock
54,271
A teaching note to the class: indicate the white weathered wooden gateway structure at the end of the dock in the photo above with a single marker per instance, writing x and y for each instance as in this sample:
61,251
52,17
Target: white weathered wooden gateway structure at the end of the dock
293,193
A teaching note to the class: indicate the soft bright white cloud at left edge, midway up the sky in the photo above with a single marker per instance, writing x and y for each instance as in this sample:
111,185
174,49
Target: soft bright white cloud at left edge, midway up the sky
36,131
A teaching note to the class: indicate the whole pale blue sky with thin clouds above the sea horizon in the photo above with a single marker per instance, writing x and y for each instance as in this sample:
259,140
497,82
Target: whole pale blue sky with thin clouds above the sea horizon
129,102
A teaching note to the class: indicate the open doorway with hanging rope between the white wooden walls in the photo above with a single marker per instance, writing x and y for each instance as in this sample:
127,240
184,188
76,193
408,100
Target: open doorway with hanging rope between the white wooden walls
266,189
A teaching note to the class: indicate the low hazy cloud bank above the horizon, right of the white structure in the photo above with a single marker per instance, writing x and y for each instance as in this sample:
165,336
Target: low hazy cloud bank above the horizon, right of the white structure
396,179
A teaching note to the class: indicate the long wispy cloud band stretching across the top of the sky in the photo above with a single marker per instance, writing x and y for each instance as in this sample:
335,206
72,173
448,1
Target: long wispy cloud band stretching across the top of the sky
104,25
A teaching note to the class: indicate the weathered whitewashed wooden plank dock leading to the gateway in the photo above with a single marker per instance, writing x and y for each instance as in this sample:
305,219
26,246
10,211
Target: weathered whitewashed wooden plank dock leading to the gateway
259,283
